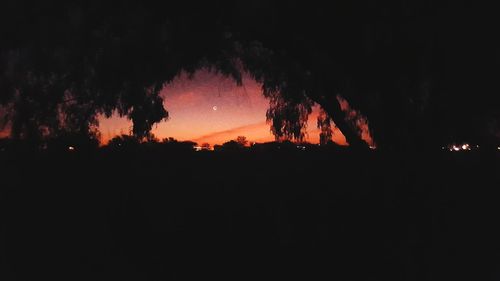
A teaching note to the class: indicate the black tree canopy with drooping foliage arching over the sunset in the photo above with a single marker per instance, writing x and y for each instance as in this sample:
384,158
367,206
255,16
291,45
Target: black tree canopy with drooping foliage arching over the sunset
422,72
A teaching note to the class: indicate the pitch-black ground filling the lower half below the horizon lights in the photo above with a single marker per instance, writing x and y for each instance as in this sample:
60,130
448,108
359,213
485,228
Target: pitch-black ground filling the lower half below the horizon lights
256,216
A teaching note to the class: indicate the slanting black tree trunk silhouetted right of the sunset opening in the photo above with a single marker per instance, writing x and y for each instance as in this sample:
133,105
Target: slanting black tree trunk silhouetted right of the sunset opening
332,106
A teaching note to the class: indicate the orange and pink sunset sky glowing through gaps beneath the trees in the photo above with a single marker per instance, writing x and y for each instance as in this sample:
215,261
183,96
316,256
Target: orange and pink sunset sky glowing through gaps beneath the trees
212,108
